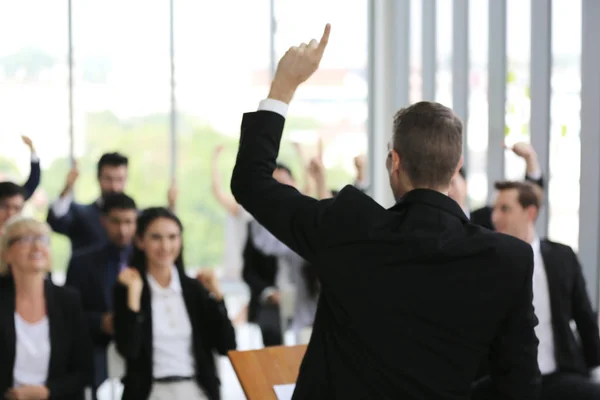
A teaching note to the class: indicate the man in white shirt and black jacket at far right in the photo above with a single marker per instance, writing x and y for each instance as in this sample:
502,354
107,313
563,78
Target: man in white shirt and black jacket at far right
570,365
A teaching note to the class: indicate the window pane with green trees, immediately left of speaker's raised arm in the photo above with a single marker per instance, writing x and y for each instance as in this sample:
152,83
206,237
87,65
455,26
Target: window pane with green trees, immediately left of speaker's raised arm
219,75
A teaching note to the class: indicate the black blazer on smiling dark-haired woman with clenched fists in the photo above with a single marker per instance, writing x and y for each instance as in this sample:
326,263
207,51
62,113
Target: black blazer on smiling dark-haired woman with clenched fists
211,331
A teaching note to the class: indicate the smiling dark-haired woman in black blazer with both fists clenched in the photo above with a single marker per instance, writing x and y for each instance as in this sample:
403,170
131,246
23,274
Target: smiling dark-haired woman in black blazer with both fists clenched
166,324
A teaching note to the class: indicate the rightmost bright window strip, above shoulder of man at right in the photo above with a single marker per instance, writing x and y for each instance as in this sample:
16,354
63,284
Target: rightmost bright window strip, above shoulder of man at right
565,148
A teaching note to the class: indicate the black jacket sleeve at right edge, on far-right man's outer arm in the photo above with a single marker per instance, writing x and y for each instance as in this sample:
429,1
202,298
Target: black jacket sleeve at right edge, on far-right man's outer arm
585,317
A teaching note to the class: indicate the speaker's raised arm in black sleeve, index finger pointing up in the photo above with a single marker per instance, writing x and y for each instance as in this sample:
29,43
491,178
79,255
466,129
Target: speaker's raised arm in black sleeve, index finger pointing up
295,219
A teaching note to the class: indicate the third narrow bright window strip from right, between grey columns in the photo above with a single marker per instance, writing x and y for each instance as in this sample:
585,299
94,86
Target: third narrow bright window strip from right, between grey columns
477,138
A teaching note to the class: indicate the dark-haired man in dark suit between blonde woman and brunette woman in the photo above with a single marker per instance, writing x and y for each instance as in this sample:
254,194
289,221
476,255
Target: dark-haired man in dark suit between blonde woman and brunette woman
94,272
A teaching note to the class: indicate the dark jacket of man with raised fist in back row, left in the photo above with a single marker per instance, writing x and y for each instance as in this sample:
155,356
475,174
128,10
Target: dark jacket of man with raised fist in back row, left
81,225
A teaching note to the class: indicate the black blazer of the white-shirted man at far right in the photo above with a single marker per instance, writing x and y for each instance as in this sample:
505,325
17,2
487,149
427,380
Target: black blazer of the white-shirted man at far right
569,301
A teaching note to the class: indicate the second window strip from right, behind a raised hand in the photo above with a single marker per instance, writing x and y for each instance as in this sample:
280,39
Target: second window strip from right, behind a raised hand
518,49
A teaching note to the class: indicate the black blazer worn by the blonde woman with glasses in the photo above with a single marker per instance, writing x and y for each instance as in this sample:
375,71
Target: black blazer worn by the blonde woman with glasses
70,368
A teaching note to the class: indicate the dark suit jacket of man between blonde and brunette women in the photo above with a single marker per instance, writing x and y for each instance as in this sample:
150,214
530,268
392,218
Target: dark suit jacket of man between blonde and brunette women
87,273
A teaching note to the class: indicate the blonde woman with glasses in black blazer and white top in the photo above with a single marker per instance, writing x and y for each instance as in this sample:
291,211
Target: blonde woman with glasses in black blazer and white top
45,350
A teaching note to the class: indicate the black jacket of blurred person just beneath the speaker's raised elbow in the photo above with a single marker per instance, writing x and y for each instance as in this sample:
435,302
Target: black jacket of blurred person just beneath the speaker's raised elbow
259,272
